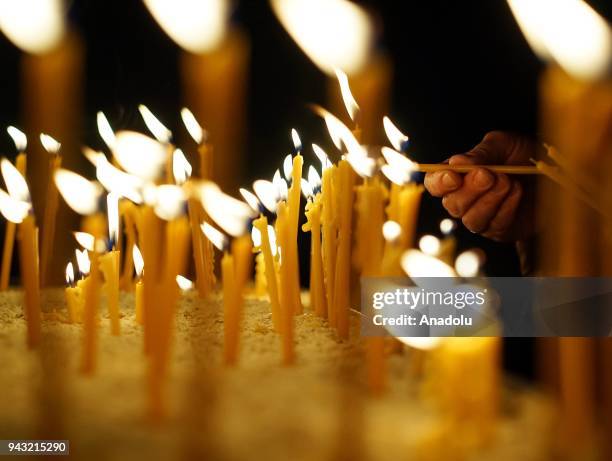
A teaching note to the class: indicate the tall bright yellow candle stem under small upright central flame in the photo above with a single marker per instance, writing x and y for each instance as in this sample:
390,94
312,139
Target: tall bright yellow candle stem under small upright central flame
293,204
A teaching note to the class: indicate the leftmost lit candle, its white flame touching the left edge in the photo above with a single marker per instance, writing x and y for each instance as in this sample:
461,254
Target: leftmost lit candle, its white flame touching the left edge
16,207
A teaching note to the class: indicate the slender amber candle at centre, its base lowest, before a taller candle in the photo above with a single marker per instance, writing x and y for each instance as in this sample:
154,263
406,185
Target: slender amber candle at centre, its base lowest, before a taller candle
287,312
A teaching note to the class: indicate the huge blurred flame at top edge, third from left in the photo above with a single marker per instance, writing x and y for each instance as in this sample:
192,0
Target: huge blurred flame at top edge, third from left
332,33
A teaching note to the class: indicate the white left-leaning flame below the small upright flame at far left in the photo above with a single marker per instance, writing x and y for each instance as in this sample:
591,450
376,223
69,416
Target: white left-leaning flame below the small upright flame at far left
81,195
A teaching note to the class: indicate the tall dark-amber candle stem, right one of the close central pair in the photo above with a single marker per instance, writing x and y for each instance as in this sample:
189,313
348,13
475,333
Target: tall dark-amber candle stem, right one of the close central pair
345,192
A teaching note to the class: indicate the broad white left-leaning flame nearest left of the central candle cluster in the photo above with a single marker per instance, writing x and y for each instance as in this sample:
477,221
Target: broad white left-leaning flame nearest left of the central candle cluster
231,214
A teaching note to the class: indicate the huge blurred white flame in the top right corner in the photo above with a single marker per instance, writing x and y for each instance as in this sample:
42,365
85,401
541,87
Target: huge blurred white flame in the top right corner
568,31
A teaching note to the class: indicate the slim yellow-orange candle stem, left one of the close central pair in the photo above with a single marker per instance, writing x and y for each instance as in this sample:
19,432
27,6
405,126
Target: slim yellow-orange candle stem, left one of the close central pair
329,234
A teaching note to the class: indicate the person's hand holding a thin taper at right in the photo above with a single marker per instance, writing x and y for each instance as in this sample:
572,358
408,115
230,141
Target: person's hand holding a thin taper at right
494,205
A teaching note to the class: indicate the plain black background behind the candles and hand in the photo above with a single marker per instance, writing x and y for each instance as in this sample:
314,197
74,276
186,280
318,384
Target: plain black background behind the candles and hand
461,69
